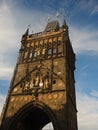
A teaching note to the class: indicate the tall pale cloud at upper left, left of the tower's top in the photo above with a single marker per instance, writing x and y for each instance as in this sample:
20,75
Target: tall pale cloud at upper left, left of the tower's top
7,29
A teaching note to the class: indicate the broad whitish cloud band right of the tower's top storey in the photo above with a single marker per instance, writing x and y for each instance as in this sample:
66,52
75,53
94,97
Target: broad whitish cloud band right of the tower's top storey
83,39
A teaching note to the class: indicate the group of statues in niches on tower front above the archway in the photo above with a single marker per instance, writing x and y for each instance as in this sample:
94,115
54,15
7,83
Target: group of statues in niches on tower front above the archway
36,81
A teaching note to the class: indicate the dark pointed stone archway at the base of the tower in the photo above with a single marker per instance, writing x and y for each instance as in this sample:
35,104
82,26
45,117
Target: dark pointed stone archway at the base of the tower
33,116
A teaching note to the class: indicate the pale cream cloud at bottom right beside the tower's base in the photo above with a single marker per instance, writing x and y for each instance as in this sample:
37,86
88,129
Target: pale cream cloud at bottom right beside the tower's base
87,112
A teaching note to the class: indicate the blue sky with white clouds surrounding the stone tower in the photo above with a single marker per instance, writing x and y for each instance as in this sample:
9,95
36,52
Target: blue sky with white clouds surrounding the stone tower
82,19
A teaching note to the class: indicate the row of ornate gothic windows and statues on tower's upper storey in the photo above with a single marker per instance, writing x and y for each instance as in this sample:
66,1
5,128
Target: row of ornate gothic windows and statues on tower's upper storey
41,50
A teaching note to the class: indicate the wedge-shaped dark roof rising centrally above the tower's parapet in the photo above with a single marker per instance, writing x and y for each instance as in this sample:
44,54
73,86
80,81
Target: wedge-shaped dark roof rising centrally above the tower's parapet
52,26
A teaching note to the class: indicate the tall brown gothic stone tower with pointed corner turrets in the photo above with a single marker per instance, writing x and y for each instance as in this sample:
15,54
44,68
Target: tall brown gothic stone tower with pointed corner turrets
42,88
